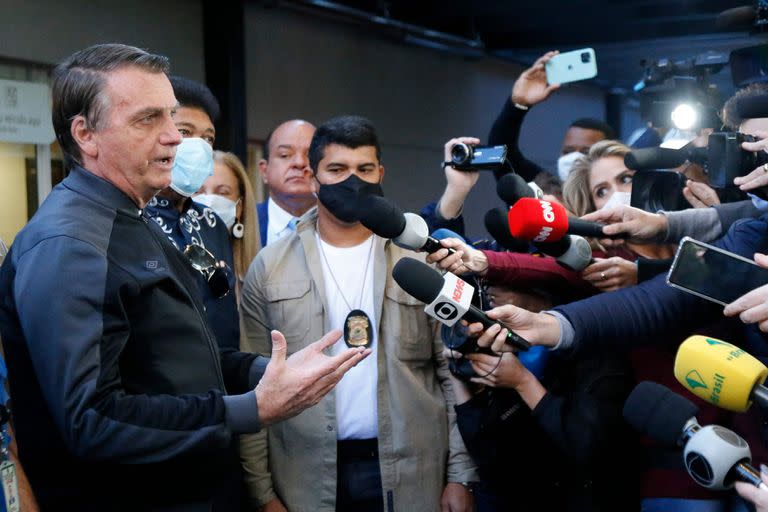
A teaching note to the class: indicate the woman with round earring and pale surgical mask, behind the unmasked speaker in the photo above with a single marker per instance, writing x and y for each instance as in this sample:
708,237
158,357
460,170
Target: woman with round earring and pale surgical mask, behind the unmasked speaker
229,193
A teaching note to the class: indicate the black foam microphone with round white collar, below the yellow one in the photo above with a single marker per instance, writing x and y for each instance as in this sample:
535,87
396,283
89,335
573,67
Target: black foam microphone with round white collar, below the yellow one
714,456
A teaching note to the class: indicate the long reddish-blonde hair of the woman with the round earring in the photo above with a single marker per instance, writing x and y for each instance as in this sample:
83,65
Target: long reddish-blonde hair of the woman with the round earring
243,249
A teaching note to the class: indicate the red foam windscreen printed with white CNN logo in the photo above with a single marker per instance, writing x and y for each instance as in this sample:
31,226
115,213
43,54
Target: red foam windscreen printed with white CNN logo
537,220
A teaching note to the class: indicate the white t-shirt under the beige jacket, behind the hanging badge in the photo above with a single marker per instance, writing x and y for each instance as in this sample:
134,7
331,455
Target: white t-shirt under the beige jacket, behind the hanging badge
356,402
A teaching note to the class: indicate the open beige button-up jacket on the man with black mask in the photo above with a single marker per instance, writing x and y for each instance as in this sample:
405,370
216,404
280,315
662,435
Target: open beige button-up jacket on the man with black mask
420,448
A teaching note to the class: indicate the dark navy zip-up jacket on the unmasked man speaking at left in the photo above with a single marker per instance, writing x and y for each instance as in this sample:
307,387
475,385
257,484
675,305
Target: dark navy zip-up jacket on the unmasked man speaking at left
117,382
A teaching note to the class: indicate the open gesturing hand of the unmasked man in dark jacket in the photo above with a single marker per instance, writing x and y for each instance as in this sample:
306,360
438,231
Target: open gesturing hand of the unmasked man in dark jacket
292,384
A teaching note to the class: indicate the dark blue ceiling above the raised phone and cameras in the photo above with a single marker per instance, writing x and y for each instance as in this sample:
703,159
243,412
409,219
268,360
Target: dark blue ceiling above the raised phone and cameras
622,32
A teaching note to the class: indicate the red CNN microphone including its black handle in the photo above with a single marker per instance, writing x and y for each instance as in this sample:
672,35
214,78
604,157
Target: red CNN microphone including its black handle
544,221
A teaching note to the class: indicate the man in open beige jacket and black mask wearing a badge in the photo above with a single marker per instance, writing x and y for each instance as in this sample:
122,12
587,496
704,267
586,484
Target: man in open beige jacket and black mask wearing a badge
385,438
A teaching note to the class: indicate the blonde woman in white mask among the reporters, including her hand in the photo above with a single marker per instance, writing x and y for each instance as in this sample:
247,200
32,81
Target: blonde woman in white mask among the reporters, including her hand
598,180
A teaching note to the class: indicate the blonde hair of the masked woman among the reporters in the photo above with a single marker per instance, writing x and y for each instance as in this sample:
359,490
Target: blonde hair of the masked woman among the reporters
576,192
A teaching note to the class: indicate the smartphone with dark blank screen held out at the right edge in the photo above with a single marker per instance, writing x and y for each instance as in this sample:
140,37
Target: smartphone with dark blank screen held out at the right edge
712,273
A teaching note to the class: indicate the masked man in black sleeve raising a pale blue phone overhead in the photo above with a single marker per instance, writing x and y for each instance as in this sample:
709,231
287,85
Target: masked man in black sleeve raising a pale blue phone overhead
530,89
